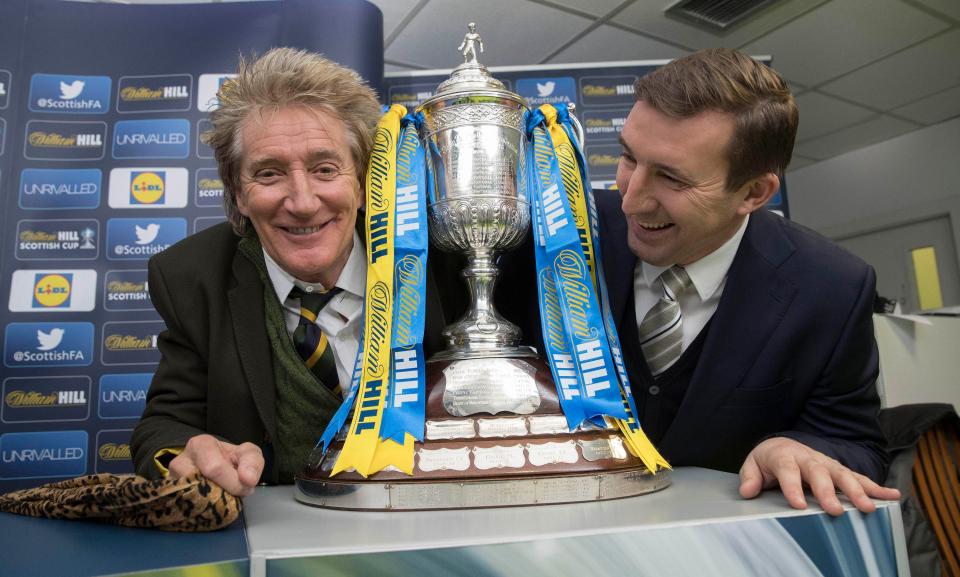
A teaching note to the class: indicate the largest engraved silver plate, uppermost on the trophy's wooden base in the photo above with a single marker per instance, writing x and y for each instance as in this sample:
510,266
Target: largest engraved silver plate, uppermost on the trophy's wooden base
489,386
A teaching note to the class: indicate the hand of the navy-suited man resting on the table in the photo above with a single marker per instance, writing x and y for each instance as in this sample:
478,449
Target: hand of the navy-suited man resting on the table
792,464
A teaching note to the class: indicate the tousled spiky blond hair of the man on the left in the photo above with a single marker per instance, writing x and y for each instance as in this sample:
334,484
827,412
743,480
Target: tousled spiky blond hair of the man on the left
287,77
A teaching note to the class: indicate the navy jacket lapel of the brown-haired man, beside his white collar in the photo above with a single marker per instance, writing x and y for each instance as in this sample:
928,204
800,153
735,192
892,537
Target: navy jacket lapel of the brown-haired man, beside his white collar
755,299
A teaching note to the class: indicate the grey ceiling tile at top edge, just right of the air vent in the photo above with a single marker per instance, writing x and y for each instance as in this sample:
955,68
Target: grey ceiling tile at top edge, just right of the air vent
841,36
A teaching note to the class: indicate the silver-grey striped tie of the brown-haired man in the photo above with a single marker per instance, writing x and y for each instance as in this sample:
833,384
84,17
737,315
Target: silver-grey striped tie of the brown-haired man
661,332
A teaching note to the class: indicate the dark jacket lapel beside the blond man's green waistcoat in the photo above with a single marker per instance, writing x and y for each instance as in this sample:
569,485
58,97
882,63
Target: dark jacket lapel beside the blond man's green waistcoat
249,321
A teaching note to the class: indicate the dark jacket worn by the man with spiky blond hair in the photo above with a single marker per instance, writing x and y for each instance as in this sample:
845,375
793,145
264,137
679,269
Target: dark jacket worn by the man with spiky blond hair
216,371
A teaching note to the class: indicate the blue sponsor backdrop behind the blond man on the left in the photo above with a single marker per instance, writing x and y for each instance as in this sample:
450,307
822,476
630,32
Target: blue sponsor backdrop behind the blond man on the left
101,167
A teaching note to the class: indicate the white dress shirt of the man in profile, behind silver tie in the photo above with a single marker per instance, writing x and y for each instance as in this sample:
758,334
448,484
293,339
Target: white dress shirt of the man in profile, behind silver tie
708,276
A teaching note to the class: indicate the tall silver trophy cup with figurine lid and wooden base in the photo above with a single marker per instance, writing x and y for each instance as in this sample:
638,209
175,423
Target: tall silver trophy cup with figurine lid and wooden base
495,432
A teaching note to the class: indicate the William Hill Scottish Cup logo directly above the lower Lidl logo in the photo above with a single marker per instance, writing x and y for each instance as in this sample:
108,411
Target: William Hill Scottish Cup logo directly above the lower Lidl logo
68,239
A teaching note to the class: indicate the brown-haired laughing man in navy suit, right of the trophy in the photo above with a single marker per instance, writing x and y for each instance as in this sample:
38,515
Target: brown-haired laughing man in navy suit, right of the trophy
748,339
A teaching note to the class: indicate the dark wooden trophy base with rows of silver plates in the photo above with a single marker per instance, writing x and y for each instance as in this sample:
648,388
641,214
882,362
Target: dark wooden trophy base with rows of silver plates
495,436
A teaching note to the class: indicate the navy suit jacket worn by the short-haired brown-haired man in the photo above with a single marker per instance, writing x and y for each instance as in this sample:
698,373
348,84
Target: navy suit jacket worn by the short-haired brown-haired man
790,349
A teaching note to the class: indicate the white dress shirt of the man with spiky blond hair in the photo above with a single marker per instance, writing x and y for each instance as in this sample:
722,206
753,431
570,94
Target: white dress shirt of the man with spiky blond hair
342,319
